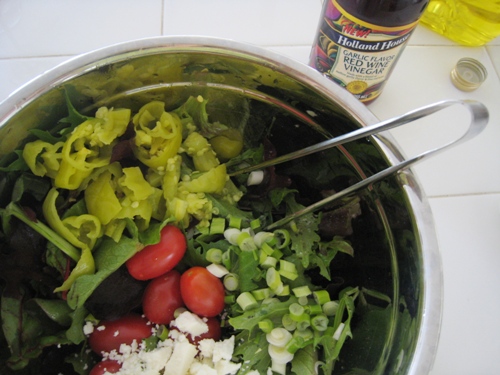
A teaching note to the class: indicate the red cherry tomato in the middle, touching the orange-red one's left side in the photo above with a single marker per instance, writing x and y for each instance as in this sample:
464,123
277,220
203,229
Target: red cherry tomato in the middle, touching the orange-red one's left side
162,297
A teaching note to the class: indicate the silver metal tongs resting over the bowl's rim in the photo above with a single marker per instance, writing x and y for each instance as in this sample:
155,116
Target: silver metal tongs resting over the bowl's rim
479,119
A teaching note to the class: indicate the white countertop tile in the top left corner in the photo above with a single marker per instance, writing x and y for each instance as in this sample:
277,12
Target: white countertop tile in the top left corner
30,28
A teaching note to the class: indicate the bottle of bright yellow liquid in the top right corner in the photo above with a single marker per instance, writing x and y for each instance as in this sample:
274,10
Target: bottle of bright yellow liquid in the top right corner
468,22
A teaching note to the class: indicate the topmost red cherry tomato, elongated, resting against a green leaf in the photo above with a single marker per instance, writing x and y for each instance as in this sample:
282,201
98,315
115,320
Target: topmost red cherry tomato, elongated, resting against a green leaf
155,260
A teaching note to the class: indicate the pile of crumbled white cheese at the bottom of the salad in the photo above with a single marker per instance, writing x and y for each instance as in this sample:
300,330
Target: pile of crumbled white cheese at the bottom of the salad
177,355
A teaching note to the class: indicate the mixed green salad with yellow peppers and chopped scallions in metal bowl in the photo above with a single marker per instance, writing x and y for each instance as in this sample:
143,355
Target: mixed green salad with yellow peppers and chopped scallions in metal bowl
81,202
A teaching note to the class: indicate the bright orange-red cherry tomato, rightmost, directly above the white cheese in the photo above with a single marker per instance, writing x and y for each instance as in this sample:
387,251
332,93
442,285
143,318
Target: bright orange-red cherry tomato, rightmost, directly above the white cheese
202,292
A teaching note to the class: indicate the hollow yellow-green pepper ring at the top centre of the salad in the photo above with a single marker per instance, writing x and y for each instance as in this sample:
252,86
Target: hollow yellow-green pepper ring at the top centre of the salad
158,134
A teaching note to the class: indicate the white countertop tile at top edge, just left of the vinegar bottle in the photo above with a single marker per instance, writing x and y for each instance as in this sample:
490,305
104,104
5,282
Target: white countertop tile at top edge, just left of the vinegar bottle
263,22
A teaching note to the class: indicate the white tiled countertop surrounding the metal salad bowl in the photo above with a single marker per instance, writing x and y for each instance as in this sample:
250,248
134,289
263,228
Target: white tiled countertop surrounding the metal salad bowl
463,184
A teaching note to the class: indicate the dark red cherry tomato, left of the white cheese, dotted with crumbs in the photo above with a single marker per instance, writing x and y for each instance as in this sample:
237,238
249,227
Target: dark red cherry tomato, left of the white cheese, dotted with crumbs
109,335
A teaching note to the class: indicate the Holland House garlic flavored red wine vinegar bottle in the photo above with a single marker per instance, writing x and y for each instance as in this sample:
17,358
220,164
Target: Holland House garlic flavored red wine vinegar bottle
358,42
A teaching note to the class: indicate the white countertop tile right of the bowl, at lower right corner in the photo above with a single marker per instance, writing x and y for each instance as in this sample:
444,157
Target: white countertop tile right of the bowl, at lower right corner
469,237
